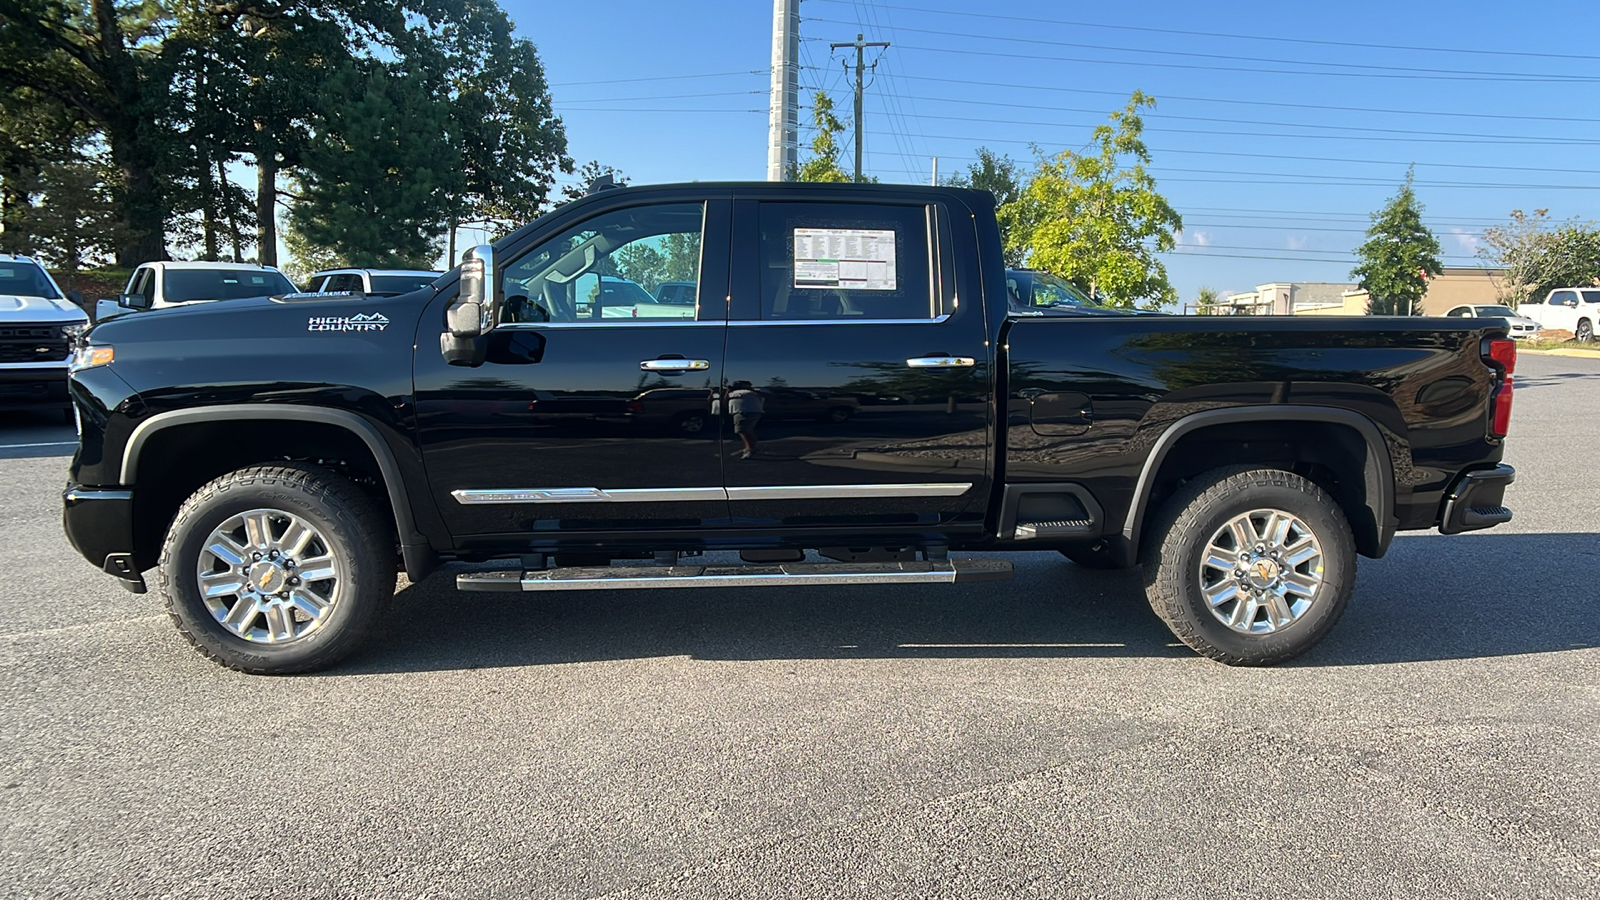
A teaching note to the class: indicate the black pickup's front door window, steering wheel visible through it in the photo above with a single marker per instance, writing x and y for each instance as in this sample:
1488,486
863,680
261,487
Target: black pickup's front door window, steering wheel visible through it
609,270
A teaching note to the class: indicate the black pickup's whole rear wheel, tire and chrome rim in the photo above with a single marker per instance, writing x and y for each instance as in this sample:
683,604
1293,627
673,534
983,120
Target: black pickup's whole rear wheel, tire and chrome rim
1250,568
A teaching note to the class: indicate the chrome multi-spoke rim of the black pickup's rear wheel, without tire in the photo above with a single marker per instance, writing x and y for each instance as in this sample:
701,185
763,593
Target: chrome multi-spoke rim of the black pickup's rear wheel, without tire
1262,573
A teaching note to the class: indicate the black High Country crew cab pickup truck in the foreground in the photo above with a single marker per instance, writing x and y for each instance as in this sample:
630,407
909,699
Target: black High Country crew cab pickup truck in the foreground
273,464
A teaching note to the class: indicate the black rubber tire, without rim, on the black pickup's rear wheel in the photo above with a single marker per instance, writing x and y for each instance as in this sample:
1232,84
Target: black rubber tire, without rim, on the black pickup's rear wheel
1178,542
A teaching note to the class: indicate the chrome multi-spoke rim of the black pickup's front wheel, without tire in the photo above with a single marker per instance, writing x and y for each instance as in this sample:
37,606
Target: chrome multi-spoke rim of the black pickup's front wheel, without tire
270,577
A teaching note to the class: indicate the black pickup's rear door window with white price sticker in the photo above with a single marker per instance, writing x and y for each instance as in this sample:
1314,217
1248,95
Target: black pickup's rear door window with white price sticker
849,262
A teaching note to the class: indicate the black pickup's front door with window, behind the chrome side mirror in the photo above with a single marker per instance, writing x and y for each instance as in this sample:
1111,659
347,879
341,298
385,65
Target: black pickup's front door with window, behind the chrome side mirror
578,419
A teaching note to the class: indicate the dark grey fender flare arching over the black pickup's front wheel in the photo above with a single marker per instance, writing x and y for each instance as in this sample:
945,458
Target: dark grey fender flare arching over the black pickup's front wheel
415,548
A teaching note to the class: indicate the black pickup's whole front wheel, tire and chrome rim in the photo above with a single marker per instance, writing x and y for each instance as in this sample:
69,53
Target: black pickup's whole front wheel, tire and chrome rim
278,569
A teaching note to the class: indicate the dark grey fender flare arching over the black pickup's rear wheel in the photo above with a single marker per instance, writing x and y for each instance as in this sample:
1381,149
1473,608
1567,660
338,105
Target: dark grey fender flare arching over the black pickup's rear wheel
1377,470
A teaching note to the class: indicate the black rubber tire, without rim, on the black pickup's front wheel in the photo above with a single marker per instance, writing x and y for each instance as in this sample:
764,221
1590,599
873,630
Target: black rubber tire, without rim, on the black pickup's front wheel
350,528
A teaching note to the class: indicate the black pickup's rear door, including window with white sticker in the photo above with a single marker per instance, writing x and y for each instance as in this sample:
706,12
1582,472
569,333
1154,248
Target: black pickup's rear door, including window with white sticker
870,307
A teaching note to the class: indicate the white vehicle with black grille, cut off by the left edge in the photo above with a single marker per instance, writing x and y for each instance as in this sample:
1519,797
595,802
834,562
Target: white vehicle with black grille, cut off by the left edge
39,324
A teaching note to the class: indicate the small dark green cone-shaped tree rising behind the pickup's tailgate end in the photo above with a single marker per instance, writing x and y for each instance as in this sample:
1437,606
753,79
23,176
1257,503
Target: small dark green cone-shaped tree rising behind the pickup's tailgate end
1399,255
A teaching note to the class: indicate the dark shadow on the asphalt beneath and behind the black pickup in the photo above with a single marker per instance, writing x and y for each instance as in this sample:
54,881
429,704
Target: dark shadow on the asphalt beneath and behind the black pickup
1431,600
